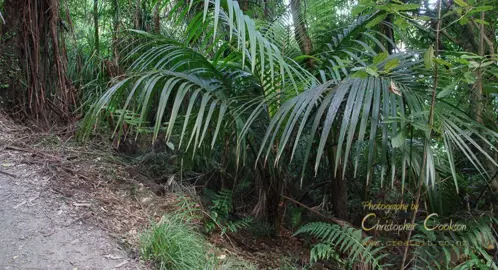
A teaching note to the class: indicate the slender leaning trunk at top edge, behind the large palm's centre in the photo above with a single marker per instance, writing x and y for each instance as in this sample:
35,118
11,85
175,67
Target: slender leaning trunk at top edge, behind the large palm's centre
300,31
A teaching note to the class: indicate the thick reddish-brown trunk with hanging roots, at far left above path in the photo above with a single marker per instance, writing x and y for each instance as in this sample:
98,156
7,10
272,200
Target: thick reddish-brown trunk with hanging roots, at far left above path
33,63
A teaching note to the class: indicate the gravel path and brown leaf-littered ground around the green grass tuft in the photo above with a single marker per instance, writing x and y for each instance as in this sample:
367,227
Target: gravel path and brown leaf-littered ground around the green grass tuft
67,205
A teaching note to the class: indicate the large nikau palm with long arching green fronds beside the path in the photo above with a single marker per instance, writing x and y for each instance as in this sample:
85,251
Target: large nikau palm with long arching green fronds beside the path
218,81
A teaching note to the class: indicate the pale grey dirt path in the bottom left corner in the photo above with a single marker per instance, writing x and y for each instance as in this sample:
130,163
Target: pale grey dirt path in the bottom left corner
39,231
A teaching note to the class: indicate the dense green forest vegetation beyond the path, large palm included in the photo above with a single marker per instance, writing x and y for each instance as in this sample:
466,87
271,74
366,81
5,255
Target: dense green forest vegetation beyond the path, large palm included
273,109
